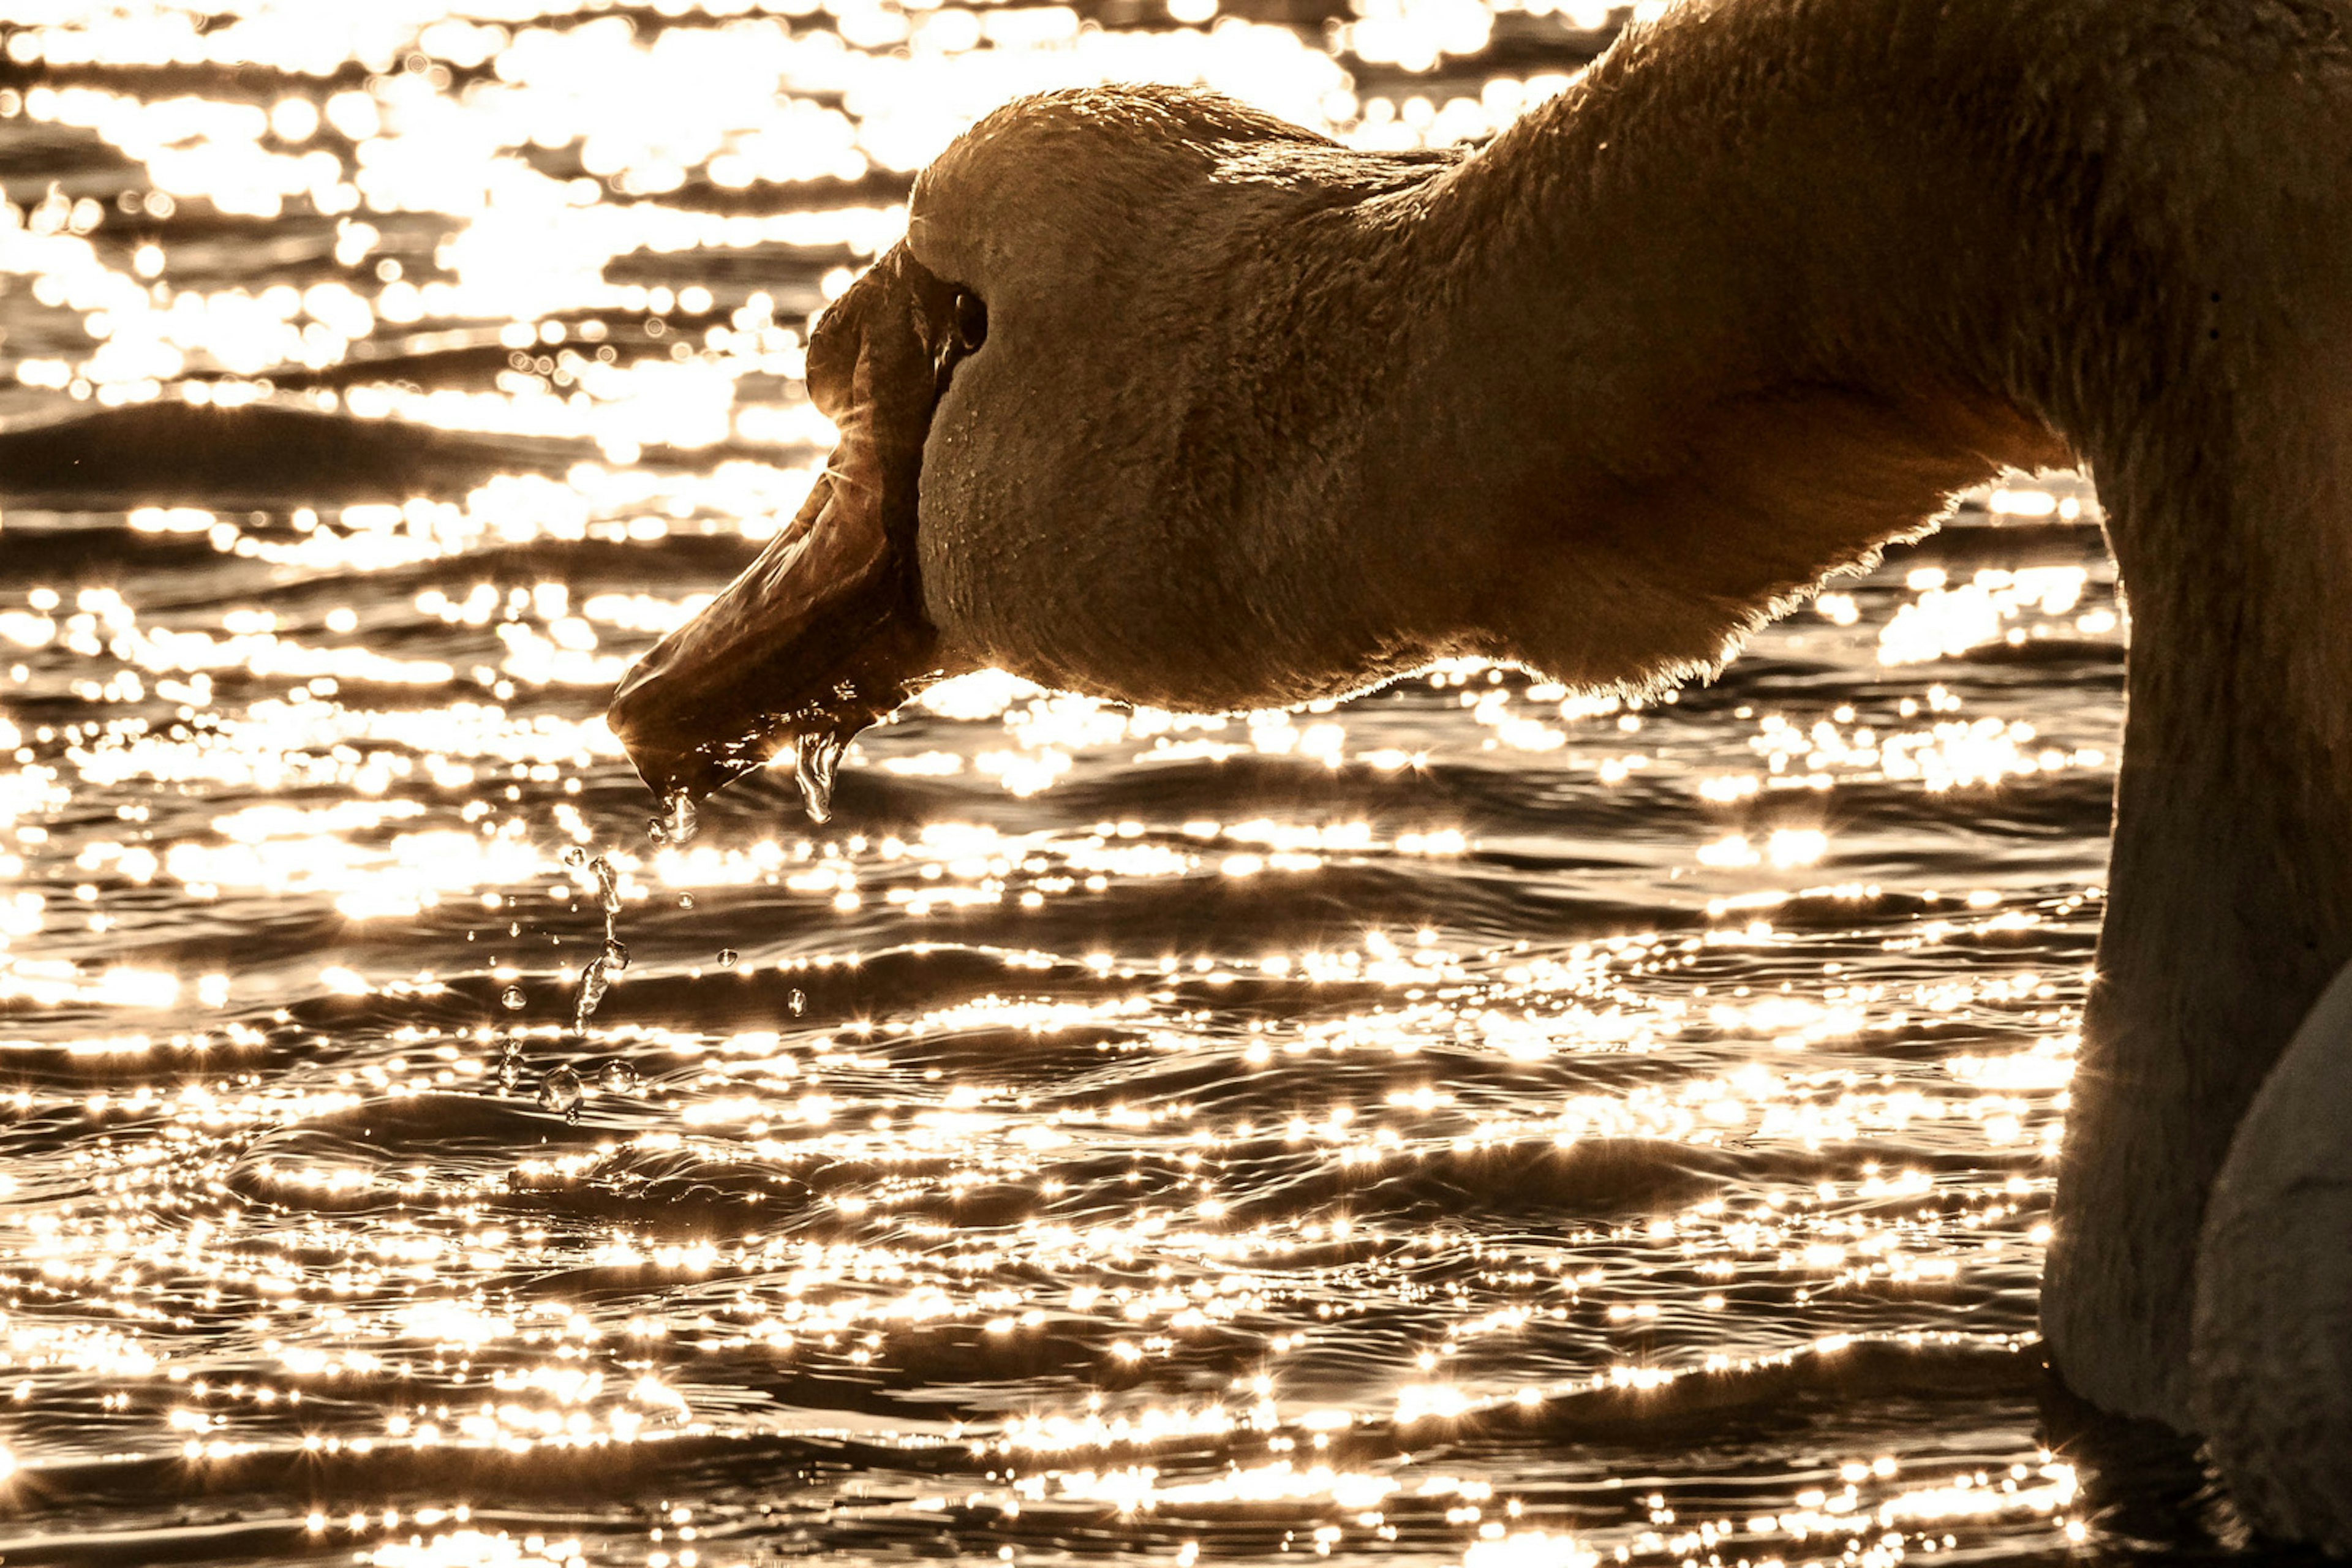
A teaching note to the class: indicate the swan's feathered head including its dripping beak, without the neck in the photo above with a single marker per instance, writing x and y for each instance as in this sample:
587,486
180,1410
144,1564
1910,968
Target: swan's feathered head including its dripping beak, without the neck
1060,427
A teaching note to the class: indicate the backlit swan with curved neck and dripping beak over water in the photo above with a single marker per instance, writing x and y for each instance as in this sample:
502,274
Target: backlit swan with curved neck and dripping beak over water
1172,403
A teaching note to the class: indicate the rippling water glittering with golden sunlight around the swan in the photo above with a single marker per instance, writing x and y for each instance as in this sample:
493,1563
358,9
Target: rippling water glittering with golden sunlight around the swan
1466,1125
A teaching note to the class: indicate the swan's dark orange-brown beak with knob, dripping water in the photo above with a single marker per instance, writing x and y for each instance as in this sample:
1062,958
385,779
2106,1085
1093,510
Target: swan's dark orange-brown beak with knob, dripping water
824,634
